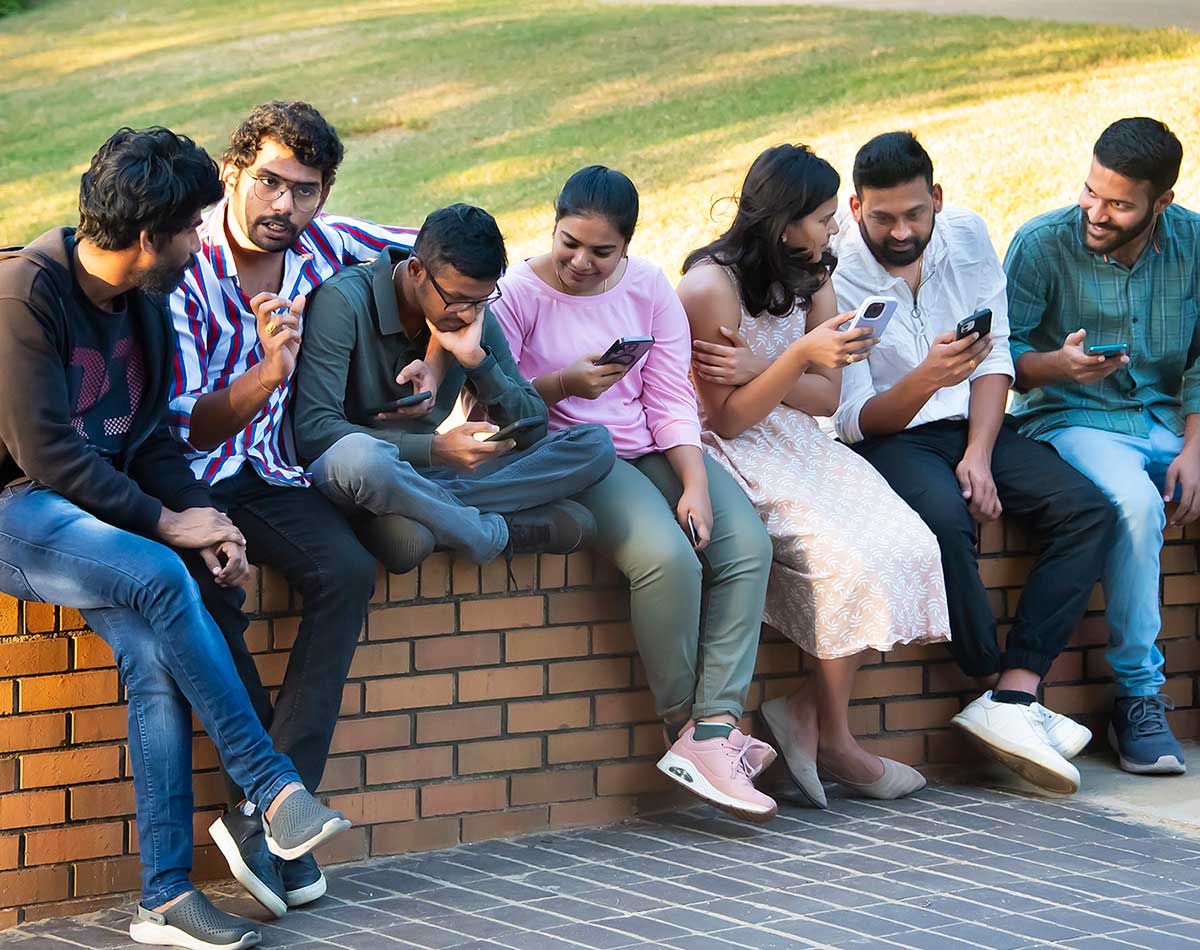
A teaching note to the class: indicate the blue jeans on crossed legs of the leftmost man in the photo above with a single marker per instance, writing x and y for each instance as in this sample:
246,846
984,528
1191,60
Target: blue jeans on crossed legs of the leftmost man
139,596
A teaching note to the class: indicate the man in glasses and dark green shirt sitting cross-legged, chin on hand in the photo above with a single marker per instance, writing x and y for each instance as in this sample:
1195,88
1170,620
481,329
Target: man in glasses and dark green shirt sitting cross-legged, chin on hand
418,322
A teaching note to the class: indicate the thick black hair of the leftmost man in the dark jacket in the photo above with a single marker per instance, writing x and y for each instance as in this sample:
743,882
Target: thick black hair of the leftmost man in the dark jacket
145,181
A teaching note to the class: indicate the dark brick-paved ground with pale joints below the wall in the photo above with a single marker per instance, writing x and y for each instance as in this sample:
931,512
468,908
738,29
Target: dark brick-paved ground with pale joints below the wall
953,868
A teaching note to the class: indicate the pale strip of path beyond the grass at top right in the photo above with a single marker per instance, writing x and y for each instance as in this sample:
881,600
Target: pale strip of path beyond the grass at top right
1184,14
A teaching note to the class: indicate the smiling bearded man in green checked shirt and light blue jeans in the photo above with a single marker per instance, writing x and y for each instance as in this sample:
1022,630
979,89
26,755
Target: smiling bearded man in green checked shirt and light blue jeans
1103,303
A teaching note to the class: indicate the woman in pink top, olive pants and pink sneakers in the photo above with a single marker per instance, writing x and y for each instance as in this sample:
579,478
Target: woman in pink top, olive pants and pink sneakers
671,520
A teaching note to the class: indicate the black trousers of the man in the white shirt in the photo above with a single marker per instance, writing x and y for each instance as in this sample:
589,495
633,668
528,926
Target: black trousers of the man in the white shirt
1066,514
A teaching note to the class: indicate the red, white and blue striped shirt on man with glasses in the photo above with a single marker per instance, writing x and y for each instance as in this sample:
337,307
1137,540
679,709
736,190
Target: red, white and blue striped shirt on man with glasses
218,339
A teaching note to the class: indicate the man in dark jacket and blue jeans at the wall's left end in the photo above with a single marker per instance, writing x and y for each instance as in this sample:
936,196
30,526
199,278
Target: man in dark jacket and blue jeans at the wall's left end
95,495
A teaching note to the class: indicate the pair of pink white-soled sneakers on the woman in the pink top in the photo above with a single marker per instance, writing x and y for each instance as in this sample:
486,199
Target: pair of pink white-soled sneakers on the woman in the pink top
718,772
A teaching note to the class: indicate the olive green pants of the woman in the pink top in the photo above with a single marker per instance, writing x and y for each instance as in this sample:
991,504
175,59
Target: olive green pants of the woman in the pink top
693,672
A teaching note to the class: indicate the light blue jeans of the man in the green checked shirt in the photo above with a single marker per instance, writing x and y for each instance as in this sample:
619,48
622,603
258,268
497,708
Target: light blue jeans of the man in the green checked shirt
1131,472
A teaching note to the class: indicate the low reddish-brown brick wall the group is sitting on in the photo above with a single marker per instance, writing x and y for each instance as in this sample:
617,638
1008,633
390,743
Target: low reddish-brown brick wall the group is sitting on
471,713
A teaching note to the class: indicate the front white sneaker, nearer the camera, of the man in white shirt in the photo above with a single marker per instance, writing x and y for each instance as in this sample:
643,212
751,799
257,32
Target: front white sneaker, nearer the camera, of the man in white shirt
1015,735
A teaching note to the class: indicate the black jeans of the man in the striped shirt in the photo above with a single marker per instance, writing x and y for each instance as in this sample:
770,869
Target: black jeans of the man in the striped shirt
302,536
